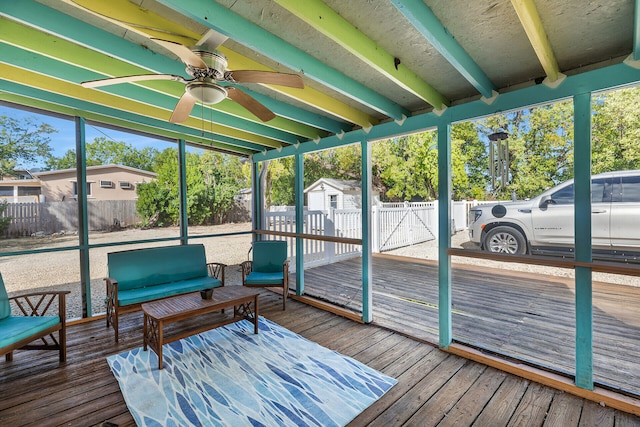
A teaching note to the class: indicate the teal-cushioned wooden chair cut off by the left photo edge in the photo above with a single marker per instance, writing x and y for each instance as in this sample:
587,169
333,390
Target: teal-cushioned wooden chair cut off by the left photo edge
35,328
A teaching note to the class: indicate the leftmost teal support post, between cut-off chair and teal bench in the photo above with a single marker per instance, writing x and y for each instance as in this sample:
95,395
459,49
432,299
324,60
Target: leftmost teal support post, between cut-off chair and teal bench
83,221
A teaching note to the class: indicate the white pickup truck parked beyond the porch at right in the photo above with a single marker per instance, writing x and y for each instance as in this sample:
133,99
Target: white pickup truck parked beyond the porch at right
544,225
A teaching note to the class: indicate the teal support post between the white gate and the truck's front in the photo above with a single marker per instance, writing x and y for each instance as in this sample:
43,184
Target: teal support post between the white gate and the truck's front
444,233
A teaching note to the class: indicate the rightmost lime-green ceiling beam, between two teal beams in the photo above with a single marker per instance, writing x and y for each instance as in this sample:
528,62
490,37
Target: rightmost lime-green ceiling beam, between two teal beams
326,21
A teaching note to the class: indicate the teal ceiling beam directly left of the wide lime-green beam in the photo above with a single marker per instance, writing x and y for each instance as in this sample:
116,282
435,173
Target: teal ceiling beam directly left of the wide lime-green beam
221,19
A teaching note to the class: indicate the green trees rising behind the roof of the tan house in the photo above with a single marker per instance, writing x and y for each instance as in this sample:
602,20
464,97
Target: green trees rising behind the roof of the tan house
103,151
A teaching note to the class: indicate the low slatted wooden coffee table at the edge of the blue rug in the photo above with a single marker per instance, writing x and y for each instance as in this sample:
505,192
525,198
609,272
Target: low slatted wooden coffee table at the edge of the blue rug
161,312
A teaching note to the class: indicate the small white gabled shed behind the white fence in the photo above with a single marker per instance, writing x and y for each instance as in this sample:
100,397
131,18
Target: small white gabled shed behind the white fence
328,193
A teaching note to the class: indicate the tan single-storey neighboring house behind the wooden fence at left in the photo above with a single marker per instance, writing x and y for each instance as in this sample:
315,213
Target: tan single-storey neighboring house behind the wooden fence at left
106,182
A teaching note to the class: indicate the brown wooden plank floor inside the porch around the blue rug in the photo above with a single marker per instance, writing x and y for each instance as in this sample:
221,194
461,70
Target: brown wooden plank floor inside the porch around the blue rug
434,387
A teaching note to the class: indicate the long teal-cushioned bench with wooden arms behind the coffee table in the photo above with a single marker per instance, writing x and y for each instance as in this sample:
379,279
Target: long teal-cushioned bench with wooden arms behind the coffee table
142,275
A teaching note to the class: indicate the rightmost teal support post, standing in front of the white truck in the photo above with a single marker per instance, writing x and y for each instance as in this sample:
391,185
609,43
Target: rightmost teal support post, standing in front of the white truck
582,217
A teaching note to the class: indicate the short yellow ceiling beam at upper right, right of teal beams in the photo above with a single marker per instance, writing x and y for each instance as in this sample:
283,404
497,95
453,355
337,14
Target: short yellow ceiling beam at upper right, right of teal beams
530,20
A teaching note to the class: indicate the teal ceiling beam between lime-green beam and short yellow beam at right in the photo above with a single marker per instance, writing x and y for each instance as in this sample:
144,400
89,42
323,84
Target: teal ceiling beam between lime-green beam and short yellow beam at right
424,20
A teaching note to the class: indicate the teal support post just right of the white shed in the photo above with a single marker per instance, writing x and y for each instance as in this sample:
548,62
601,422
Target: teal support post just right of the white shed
367,292
